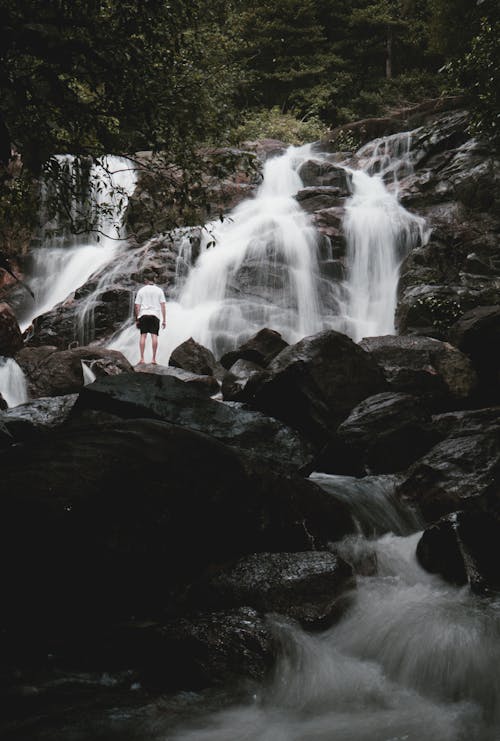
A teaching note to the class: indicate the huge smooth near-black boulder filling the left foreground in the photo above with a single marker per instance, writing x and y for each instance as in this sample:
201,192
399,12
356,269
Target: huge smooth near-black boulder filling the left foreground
105,521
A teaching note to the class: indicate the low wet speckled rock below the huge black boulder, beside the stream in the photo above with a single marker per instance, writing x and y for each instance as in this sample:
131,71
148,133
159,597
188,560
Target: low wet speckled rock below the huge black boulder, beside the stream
303,586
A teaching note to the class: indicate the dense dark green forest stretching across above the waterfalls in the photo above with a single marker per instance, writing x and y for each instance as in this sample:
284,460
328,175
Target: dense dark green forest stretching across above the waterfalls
102,76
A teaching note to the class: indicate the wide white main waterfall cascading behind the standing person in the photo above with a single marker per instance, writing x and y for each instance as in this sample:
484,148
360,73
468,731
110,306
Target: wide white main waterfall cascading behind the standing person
261,268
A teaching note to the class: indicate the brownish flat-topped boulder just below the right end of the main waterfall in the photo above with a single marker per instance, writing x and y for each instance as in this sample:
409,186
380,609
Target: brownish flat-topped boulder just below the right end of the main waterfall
430,369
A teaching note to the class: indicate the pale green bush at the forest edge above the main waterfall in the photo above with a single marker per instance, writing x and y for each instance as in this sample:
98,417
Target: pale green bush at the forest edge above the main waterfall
273,124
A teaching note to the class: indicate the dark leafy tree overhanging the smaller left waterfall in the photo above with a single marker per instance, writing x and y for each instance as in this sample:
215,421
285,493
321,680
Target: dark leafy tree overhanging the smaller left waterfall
93,77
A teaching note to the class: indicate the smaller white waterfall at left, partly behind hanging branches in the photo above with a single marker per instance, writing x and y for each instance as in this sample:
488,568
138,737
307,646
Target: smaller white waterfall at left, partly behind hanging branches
65,261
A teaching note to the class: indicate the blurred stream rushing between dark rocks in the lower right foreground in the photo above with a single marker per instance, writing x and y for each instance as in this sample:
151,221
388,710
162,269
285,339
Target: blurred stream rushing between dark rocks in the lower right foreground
411,658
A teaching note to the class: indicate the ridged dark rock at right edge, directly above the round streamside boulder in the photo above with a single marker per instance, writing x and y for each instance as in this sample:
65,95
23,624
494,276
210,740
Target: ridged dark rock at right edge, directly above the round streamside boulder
458,473
